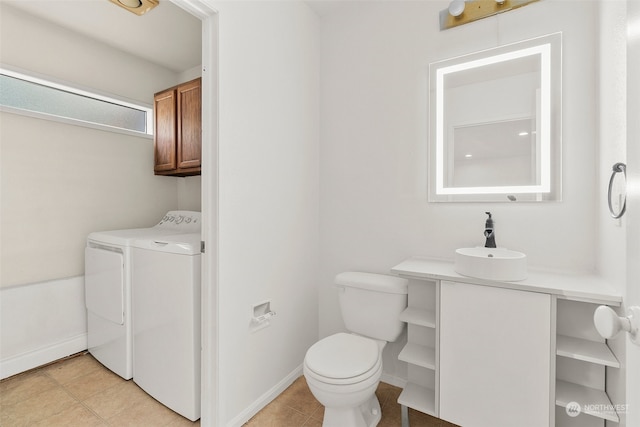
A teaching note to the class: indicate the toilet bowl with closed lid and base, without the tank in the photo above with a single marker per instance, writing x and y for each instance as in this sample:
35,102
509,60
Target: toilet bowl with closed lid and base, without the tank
343,372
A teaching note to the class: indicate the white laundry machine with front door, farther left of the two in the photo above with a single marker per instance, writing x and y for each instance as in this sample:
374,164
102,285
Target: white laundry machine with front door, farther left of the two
108,287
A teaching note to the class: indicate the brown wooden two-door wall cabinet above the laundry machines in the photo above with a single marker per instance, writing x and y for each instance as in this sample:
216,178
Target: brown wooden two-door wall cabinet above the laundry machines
177,141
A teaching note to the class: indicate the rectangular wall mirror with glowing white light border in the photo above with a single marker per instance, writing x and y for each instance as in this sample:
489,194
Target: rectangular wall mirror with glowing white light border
495,124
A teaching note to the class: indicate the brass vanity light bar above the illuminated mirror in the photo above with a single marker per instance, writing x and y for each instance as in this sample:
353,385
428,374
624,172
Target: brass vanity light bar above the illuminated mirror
462,12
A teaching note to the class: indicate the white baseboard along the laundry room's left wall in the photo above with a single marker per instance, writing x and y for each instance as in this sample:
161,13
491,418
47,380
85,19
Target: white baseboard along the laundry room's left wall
34,358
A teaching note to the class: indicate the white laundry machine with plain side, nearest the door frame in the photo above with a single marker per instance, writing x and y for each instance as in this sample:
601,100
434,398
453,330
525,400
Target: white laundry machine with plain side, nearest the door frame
166,320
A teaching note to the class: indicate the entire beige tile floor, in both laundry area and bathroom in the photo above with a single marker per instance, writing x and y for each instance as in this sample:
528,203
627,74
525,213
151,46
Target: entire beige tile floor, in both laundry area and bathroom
79,391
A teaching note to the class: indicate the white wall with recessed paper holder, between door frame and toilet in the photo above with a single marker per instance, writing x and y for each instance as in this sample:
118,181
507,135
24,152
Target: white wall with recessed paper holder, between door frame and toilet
268,57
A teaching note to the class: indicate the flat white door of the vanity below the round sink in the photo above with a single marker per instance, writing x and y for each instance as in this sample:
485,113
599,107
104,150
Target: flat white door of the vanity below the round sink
495,356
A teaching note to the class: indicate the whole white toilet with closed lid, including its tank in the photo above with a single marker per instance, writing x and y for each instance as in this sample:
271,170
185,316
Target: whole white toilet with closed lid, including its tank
344,369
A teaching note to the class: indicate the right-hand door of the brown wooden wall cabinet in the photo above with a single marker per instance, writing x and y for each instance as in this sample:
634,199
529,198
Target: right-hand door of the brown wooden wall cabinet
189,125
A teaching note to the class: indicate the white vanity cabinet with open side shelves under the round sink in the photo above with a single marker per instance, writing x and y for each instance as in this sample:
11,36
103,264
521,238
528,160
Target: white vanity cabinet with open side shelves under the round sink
503,354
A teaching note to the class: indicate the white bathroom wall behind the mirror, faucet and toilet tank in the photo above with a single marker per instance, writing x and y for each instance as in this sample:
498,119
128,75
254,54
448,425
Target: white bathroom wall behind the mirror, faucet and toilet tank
374,132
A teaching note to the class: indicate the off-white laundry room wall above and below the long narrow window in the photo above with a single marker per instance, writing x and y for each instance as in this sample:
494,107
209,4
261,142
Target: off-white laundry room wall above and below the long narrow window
59,181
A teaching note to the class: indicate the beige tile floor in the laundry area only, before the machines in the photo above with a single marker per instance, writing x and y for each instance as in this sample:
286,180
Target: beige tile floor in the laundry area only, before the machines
79,391
